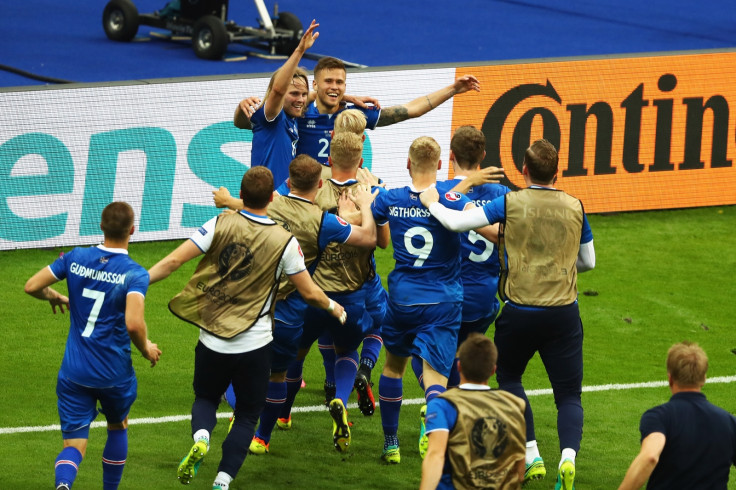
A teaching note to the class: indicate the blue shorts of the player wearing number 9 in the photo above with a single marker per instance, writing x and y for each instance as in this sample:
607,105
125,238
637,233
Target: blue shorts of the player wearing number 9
426,331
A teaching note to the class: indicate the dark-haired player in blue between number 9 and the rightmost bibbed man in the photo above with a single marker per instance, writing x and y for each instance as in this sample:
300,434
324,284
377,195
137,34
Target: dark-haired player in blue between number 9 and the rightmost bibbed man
479,266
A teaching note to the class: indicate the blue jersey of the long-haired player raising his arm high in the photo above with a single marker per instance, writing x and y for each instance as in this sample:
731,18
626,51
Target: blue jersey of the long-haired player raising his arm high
274,143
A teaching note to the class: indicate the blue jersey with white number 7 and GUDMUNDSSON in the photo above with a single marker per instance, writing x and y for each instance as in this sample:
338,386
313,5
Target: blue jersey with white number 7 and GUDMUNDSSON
99,280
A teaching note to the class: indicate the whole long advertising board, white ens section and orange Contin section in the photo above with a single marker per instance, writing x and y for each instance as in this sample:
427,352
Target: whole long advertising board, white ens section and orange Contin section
634,134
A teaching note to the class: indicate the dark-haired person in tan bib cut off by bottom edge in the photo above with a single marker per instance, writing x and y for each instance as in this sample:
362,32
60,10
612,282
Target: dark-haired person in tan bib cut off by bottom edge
476,435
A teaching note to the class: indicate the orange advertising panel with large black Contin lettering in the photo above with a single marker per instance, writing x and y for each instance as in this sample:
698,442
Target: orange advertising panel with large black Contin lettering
633,133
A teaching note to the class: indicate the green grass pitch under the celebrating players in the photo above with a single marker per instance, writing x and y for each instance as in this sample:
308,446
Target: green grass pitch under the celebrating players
661,277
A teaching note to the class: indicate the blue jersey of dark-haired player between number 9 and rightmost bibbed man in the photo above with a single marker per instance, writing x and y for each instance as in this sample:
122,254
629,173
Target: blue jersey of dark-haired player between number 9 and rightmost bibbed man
480,265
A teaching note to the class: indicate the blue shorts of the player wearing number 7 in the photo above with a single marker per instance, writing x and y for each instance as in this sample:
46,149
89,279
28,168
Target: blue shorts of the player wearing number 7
77,405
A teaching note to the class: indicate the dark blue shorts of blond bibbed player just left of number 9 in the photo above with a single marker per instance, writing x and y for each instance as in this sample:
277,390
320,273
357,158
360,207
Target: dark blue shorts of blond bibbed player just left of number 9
345,337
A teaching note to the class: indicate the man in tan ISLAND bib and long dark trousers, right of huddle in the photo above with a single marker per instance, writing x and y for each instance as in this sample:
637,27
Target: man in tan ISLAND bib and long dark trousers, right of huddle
544,241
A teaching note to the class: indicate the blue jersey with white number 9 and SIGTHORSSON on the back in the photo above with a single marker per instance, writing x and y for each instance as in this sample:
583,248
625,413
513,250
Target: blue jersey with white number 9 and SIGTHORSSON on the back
427,255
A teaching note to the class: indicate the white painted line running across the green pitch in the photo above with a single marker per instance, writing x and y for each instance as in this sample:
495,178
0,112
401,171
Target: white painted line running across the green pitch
317,408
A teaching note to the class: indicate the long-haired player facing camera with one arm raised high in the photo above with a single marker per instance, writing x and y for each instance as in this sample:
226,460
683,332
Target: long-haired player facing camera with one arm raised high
274,122
